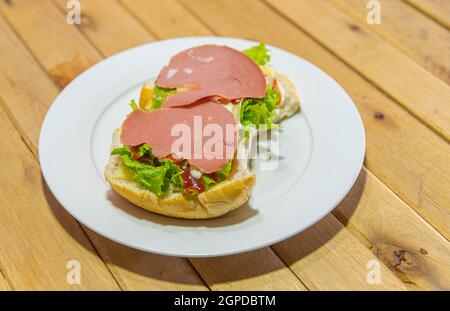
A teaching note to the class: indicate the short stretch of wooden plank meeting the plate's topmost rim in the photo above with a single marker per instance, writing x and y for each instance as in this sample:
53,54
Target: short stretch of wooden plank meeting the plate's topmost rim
175,22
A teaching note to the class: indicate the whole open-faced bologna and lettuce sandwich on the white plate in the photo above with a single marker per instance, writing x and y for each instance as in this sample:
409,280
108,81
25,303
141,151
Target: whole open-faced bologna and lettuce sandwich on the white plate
178,153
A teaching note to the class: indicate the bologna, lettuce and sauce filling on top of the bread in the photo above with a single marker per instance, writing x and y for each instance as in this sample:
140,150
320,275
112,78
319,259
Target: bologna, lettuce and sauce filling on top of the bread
223,87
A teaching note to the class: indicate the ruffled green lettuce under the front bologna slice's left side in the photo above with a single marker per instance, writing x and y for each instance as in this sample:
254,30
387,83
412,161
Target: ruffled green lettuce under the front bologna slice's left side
156,178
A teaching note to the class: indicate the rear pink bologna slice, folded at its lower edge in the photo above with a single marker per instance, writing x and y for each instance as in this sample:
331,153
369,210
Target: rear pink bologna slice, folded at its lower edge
211,70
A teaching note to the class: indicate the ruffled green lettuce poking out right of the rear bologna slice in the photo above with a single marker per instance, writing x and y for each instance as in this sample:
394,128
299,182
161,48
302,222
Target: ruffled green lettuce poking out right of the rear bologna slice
257,111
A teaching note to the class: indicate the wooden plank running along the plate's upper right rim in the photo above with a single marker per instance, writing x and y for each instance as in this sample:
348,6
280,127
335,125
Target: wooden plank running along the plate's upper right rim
396,141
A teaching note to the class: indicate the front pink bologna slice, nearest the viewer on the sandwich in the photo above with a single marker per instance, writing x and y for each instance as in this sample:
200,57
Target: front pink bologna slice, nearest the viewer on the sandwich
203,133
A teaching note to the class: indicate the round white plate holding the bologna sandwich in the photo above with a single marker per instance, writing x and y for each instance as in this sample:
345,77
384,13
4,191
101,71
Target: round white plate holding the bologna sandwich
322,151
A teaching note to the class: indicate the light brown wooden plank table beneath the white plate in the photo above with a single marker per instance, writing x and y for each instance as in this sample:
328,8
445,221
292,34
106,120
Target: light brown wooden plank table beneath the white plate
395,219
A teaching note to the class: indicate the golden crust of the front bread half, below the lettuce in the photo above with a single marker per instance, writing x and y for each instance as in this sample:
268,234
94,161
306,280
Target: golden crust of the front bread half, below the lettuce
220,199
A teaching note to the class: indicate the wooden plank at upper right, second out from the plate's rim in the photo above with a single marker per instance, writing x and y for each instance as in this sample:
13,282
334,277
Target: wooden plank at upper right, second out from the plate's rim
411,85
